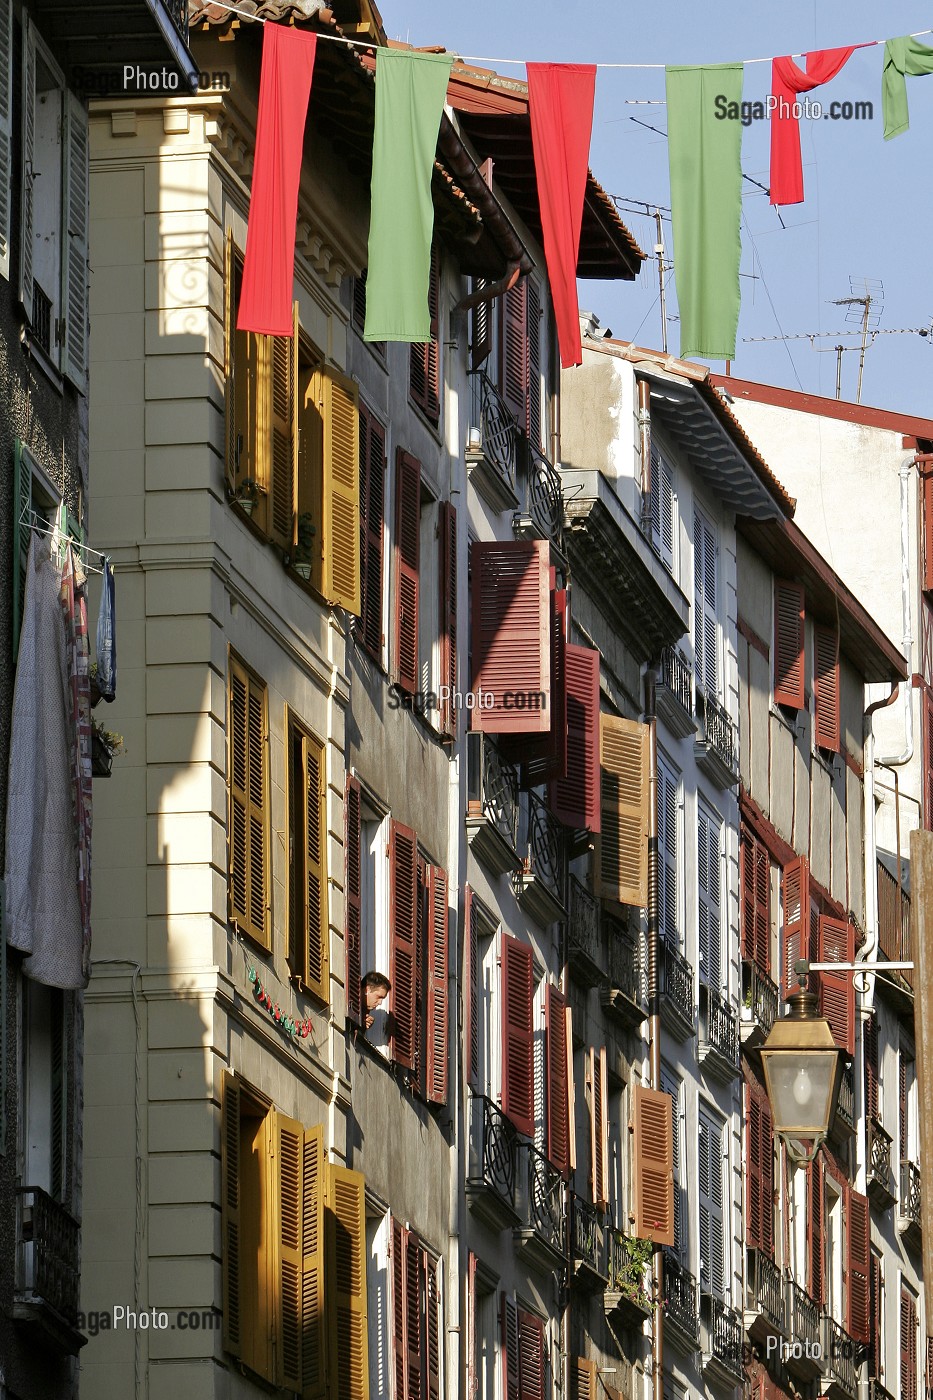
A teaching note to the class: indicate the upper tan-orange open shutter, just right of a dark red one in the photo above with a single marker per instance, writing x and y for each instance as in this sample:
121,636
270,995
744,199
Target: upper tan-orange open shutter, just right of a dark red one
624,811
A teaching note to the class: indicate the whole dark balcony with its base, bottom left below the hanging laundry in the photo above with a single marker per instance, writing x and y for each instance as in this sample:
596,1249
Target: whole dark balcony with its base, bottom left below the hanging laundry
48,1272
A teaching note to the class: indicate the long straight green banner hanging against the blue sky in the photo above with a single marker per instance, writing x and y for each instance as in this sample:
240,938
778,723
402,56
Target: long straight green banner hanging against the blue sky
707,202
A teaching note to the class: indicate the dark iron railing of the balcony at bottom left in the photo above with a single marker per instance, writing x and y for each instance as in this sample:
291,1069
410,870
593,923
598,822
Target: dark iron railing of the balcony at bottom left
51,1254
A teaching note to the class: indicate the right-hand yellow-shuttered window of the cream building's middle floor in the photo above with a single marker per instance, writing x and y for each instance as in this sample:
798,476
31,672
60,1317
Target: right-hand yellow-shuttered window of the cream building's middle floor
309,929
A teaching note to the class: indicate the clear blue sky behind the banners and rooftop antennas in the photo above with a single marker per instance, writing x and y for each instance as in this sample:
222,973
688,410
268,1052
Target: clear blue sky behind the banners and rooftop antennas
869,204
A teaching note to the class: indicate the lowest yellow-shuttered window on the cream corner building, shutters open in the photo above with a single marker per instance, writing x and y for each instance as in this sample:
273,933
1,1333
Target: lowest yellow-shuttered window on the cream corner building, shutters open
293,1251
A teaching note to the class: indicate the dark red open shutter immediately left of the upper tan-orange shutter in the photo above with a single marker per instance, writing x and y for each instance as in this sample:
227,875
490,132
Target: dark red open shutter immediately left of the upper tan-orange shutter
575,800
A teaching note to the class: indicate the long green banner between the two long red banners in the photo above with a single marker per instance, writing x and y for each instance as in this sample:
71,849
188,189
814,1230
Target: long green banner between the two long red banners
411,90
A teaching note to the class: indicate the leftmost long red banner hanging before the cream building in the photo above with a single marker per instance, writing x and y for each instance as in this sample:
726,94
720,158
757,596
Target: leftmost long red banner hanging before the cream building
285,89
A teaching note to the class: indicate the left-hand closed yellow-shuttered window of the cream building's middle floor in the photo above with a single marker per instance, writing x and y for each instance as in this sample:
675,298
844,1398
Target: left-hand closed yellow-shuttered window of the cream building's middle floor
249,796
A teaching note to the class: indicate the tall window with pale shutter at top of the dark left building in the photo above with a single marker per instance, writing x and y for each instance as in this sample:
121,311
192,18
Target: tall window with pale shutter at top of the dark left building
54,211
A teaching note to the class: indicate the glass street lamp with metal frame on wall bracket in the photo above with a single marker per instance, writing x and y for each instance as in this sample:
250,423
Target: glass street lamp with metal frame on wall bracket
803,1067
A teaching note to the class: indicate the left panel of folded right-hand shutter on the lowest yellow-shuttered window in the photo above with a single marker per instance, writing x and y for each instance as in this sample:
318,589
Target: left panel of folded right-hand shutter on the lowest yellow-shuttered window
288,1214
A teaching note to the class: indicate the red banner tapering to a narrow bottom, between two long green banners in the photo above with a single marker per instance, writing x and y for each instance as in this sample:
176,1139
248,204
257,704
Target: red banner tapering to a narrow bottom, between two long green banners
561,100
